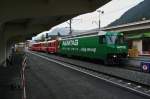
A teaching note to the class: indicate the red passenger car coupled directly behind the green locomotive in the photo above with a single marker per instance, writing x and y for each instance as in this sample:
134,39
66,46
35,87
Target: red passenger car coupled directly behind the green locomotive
52,46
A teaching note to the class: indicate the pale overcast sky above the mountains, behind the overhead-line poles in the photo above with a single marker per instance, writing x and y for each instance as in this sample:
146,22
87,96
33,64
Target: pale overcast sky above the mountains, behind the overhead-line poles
112,11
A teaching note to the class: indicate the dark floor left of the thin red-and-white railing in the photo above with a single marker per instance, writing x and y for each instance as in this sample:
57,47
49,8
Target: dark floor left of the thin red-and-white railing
10,78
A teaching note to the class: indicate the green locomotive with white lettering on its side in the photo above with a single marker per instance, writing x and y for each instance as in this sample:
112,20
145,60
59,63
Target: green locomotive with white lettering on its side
106,46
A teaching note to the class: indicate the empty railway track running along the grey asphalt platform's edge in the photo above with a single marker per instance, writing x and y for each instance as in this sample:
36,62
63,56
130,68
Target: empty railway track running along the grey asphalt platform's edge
126,84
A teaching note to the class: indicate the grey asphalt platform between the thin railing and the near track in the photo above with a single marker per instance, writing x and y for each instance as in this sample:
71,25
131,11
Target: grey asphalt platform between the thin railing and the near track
46,79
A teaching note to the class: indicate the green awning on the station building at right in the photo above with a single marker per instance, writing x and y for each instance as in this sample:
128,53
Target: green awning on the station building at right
138,36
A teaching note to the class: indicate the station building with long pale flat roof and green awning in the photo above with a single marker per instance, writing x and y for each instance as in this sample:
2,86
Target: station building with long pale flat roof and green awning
137,35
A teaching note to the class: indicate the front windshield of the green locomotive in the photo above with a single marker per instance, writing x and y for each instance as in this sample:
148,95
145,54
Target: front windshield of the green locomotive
114,39
